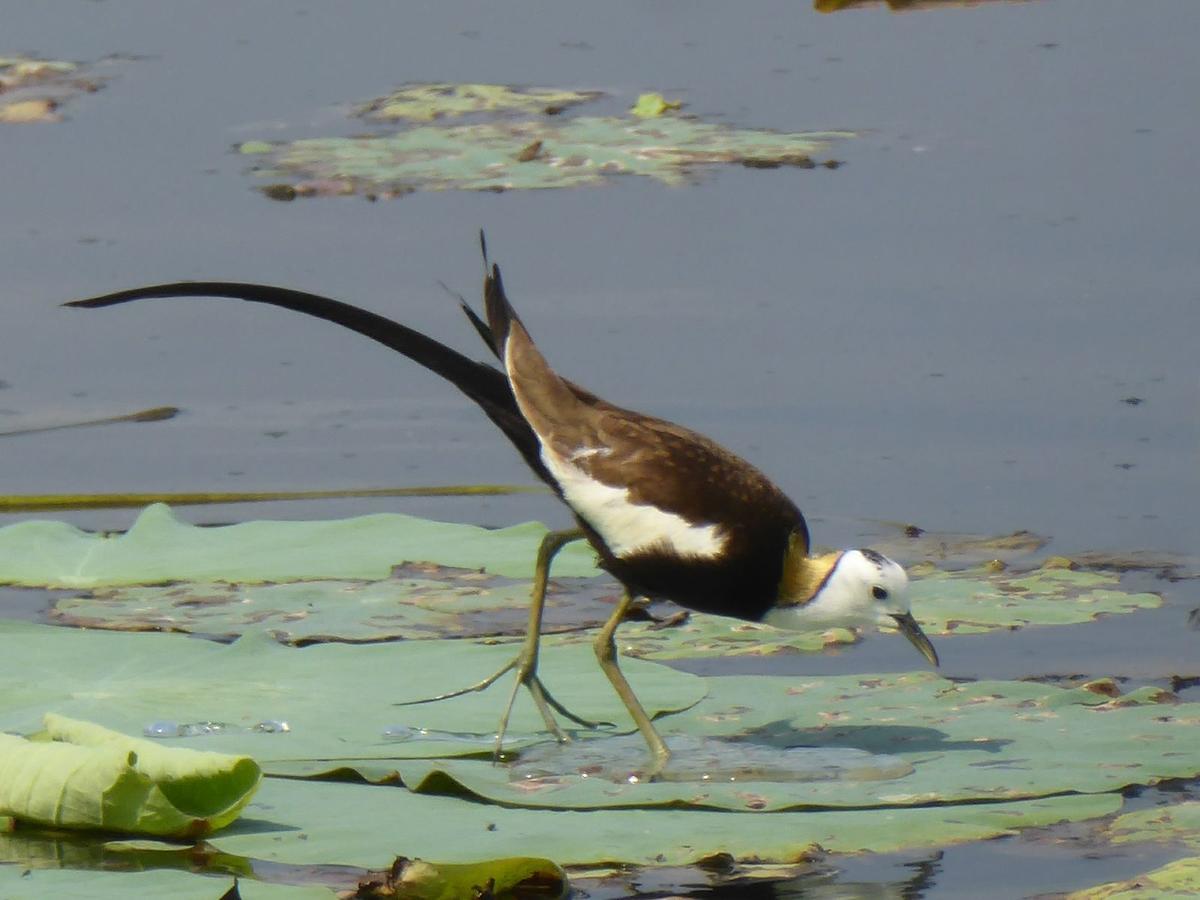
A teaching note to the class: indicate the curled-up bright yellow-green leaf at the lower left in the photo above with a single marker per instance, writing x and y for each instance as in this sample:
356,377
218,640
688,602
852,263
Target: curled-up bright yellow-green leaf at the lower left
92,778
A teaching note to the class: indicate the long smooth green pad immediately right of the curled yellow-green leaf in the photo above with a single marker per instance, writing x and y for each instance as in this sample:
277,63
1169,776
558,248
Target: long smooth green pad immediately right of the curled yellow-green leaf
358,825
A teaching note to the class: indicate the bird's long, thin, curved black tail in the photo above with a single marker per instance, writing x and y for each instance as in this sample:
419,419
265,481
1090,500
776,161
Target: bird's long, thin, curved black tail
483,383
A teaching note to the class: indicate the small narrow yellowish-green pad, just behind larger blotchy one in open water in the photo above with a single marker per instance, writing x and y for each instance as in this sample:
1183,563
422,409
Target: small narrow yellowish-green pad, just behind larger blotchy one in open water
429,103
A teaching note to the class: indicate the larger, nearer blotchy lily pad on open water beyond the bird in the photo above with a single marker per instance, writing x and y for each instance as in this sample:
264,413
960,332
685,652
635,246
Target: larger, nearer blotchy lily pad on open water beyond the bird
526,155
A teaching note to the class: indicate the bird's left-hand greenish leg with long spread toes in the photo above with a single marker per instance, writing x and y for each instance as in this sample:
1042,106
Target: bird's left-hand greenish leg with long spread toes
526,663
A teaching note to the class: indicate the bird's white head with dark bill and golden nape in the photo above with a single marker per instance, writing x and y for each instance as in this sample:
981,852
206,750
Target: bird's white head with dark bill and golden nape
856,587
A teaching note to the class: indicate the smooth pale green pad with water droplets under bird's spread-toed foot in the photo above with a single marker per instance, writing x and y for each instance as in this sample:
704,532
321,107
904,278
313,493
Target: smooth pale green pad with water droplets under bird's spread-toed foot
274,703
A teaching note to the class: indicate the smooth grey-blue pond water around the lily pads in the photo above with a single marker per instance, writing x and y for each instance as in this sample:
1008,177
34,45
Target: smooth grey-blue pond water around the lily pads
950,331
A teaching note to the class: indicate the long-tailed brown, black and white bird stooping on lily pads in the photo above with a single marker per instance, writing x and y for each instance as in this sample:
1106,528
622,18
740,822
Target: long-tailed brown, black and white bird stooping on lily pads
670,513
